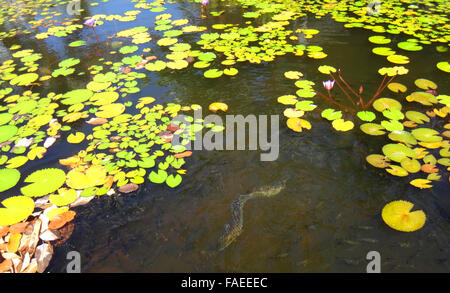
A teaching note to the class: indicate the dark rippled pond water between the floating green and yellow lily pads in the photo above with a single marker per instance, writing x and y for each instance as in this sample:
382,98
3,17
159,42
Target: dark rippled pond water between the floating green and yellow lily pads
328,215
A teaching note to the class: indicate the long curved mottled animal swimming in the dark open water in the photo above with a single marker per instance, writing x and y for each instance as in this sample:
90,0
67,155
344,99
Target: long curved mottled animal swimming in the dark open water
234,228
